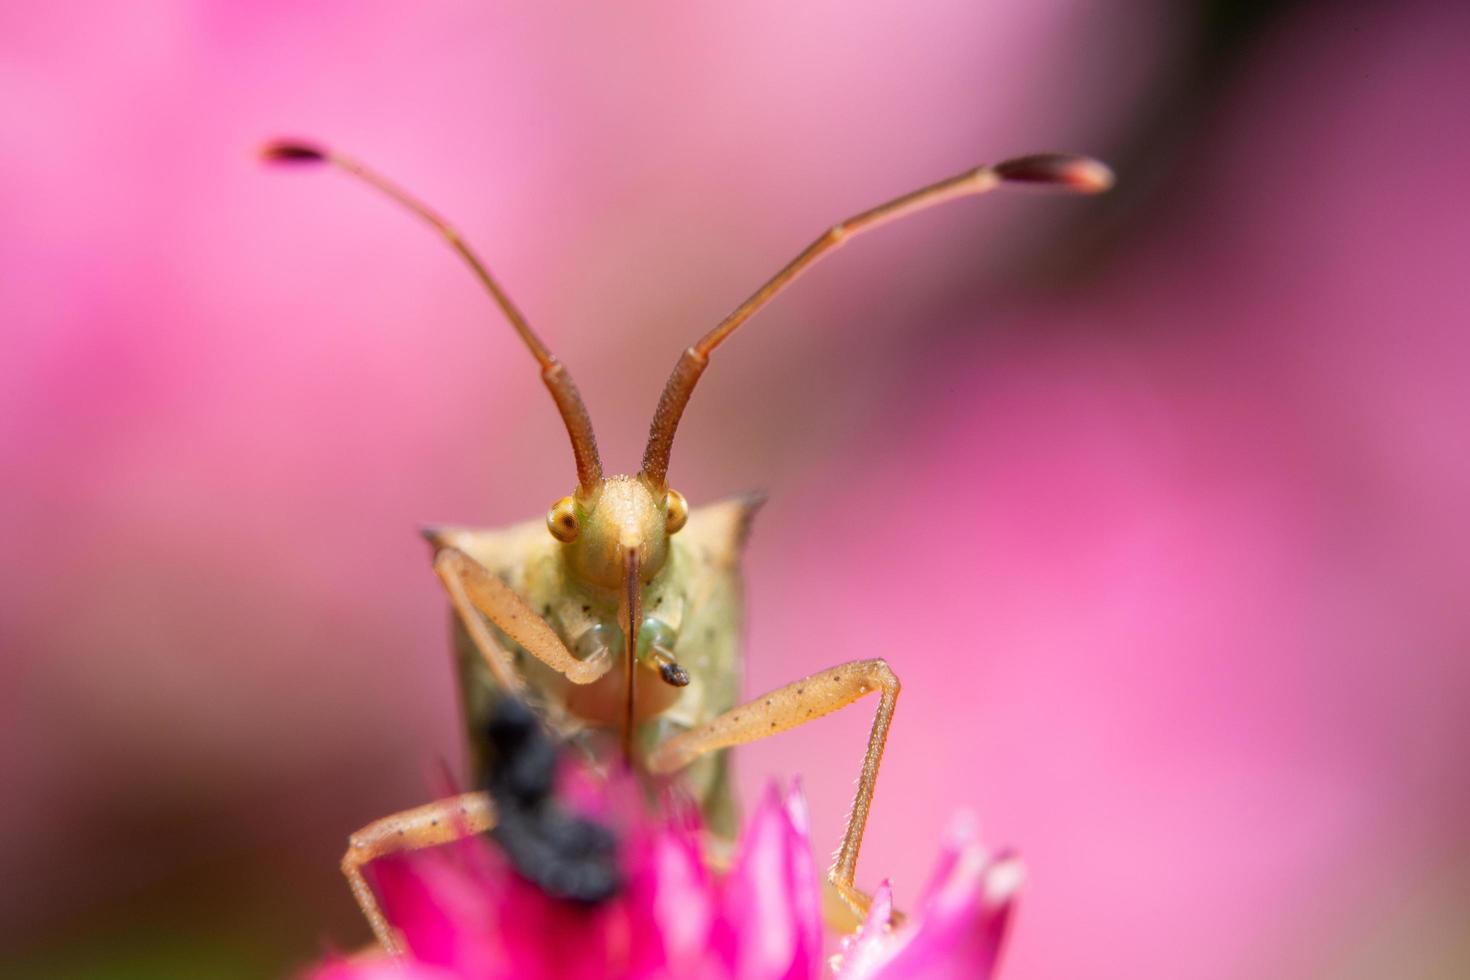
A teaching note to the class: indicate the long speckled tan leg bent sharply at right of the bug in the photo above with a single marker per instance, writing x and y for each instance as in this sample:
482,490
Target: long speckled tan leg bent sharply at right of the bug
786,709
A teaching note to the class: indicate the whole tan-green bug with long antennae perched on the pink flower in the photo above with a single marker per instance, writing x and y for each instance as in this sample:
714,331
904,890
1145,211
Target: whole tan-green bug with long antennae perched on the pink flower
618,615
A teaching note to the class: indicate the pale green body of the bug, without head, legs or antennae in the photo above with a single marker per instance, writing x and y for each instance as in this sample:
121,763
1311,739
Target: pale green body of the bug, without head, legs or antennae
695,602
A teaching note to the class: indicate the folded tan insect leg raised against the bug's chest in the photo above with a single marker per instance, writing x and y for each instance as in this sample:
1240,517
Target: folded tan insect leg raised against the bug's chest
476,591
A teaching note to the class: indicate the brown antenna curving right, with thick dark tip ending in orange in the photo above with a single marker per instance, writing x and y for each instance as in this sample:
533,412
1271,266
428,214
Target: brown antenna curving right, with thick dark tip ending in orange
1059,171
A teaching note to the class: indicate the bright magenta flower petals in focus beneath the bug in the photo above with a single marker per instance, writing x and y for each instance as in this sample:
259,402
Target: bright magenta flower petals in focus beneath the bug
464,913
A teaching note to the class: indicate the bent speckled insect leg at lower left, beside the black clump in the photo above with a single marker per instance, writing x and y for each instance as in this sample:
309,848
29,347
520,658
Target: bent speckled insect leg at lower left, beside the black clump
427,826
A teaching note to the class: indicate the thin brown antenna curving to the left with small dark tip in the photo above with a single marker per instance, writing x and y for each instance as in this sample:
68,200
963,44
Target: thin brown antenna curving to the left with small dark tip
555,375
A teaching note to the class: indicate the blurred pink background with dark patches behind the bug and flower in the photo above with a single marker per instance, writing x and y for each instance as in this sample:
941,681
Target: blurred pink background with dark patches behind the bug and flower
1156,503
